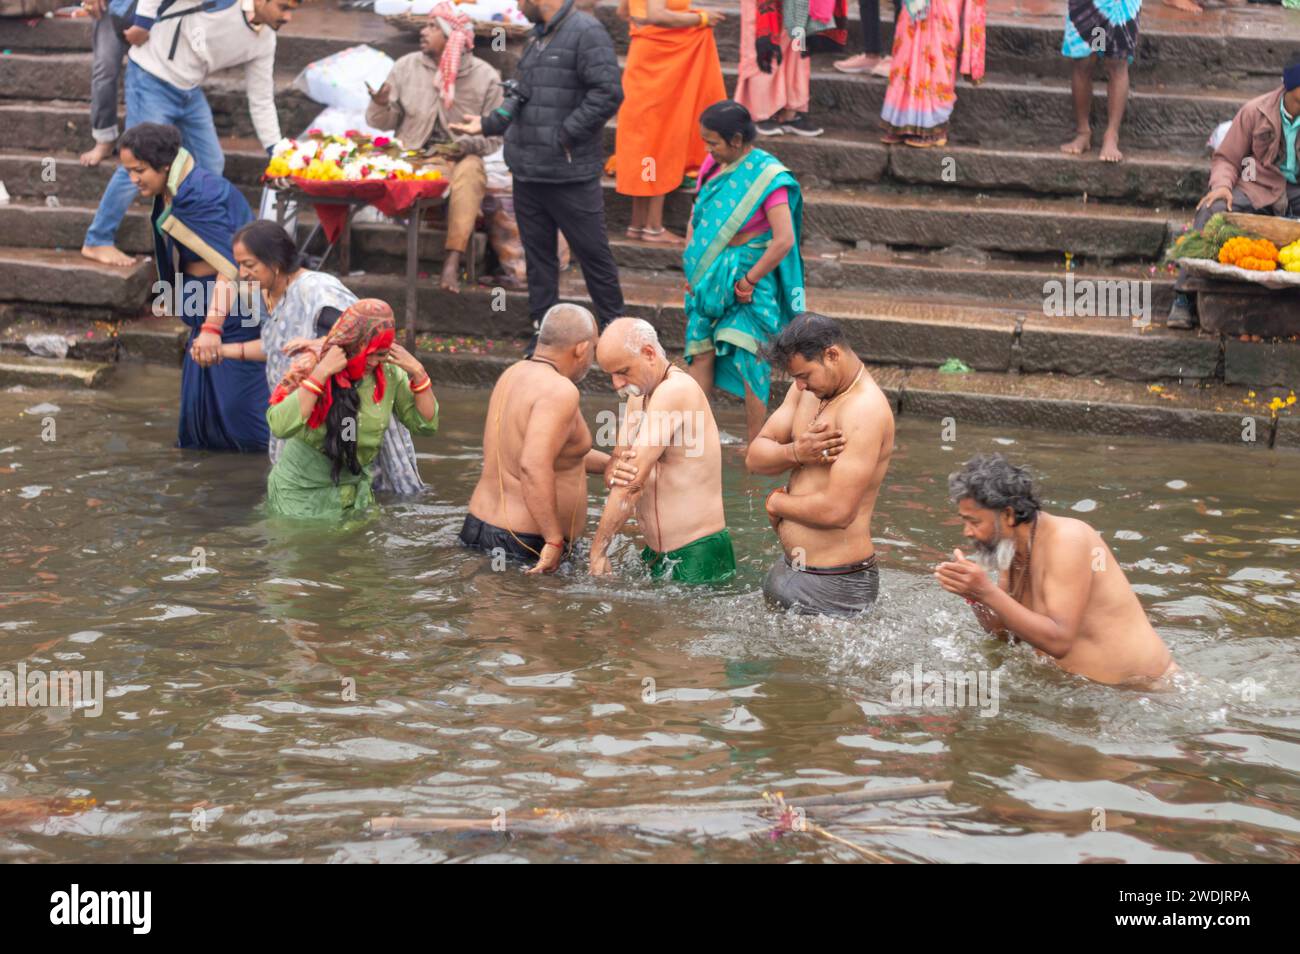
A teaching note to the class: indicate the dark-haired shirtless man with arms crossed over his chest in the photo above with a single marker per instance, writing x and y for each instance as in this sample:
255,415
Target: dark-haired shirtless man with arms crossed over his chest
835,435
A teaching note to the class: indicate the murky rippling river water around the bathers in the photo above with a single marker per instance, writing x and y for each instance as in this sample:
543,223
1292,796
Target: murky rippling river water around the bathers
479,691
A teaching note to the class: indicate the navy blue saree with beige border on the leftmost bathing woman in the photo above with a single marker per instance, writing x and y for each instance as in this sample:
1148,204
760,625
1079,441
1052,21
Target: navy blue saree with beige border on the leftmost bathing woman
223,407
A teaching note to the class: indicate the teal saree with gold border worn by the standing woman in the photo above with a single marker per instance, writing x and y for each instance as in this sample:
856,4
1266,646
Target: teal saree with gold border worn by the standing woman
716,320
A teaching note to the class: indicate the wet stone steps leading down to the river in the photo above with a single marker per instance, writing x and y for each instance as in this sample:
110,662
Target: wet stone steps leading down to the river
925,255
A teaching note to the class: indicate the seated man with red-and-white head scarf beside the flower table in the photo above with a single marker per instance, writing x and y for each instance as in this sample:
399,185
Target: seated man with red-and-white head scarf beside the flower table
421,98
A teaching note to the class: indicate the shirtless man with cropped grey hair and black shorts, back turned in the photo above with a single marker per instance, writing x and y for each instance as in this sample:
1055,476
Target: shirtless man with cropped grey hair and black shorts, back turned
531,500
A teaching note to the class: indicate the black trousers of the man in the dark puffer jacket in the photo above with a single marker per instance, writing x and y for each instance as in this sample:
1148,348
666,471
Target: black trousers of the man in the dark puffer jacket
578,210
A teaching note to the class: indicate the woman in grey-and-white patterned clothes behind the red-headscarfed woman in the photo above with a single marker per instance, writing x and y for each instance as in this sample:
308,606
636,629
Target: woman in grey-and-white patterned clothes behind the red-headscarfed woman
298,310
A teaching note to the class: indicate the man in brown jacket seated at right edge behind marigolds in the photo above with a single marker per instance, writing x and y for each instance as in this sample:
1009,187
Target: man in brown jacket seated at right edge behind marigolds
1255,170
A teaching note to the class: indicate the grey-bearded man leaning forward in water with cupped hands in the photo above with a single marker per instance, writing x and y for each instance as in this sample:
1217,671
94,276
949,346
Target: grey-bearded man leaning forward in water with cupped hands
1059,587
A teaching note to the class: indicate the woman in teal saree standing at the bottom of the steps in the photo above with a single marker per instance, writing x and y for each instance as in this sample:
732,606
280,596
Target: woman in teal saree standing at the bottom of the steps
744,272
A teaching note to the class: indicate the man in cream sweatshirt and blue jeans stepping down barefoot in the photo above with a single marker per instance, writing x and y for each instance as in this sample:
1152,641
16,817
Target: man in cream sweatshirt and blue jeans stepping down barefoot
176,45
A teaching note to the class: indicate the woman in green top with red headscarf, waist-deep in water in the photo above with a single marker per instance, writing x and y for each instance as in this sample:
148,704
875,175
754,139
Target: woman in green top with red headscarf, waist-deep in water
333,411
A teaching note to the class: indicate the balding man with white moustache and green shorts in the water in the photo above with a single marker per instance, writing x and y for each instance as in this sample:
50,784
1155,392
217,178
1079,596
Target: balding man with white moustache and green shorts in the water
671,430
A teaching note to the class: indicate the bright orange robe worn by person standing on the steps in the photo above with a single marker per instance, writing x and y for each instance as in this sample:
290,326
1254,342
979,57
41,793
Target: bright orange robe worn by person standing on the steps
671,77
